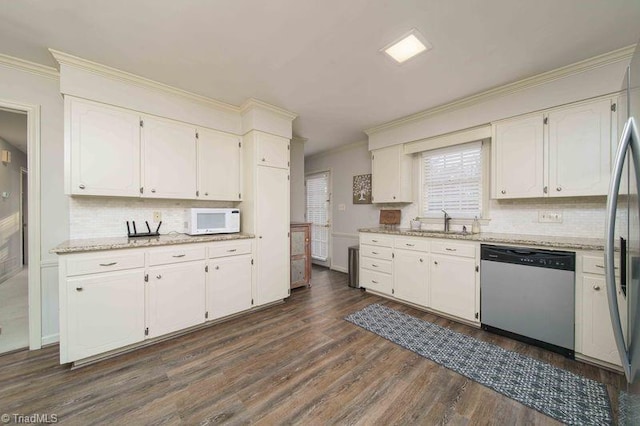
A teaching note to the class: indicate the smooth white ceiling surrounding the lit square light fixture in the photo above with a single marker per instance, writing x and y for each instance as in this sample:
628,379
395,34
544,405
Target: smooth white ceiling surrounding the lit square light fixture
321,58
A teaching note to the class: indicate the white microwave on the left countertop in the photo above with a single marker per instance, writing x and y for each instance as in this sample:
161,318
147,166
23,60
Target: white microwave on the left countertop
201,221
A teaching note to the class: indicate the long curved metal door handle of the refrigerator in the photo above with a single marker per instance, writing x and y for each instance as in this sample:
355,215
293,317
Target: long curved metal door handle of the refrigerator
628,141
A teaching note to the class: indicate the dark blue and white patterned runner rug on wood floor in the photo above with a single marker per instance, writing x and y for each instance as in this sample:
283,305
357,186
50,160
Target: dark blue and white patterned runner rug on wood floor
566,397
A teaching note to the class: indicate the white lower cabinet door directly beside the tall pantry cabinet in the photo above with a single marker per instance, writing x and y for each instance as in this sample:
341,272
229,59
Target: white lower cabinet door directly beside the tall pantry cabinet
228,286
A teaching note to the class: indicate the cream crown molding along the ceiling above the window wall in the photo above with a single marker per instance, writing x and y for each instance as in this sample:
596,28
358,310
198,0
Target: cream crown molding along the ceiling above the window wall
614,56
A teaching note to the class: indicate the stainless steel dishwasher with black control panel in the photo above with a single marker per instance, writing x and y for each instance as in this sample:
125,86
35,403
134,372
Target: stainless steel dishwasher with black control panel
529,295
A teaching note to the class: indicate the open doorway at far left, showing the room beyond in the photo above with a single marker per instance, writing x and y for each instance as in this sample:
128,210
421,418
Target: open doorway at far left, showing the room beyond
14,209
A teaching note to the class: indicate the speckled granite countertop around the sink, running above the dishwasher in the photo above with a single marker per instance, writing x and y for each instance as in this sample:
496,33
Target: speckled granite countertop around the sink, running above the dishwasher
576,243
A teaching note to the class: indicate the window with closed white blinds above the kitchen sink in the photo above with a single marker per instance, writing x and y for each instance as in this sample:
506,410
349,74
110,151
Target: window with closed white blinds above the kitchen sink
452,181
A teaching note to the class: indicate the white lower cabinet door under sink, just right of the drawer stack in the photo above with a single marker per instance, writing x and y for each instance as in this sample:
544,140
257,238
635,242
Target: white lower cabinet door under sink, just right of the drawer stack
411,276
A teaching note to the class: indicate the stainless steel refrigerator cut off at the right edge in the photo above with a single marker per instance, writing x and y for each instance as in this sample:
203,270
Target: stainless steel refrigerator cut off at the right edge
623,238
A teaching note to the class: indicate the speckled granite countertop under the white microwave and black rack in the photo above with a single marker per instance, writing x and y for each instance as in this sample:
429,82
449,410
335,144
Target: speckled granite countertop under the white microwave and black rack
95,244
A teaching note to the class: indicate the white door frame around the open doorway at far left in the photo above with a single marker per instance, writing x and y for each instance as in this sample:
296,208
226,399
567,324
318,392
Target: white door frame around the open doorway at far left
33,216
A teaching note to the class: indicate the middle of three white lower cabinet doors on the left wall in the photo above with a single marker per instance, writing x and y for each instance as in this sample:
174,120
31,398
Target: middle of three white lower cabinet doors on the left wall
175,297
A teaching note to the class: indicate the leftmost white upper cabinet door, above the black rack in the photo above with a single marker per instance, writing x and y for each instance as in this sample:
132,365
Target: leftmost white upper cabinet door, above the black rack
104,154
